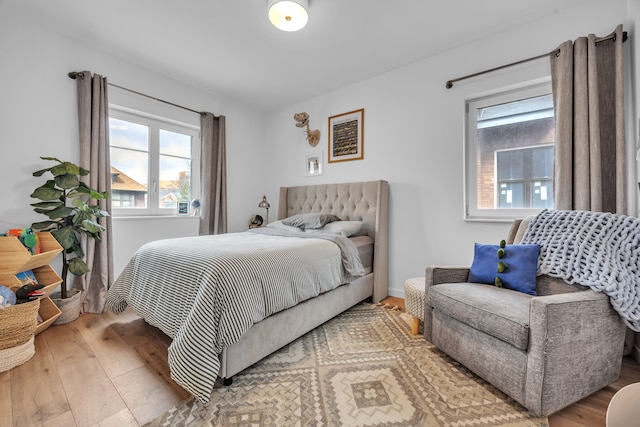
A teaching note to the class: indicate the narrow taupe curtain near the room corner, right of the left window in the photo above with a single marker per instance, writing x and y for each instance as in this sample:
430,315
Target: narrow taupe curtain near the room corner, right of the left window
213,172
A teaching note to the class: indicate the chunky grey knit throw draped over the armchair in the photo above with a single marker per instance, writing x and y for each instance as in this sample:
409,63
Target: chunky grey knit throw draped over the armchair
596,249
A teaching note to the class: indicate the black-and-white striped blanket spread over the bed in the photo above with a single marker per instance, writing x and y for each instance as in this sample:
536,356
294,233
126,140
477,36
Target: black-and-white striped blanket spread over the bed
204,292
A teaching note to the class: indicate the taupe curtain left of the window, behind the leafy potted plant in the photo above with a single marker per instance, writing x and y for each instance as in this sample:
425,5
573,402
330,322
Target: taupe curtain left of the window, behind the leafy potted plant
93,117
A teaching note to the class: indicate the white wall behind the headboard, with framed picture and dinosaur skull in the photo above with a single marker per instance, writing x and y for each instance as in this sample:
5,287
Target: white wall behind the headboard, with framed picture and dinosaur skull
414,135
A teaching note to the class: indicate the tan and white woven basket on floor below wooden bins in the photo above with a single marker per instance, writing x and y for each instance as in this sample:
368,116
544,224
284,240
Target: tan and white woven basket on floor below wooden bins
17,327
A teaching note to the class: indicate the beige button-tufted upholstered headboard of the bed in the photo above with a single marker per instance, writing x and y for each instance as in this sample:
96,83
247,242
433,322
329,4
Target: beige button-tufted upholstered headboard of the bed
353,201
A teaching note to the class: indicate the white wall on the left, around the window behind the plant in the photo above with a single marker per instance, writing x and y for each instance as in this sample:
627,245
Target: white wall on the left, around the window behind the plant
38,117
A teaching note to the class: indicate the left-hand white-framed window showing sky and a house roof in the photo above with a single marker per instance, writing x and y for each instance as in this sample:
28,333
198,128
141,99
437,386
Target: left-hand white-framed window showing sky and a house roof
154,163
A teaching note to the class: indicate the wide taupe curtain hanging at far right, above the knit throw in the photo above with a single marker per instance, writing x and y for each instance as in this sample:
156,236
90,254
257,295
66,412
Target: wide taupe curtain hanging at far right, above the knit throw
587,83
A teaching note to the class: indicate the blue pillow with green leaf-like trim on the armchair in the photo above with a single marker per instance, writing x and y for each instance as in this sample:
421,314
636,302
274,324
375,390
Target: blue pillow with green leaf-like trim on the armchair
520,266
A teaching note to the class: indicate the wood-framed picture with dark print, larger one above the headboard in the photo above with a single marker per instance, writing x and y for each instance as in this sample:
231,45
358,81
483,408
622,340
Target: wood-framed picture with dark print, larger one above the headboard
346,136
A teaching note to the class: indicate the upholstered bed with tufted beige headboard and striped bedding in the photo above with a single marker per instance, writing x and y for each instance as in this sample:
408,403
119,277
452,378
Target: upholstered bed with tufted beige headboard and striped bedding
219,330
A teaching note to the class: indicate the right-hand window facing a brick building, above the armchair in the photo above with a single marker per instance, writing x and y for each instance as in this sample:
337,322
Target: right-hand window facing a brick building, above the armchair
509,154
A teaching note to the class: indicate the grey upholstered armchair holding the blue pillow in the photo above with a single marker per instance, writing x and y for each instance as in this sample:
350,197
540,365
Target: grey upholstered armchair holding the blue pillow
546,352
